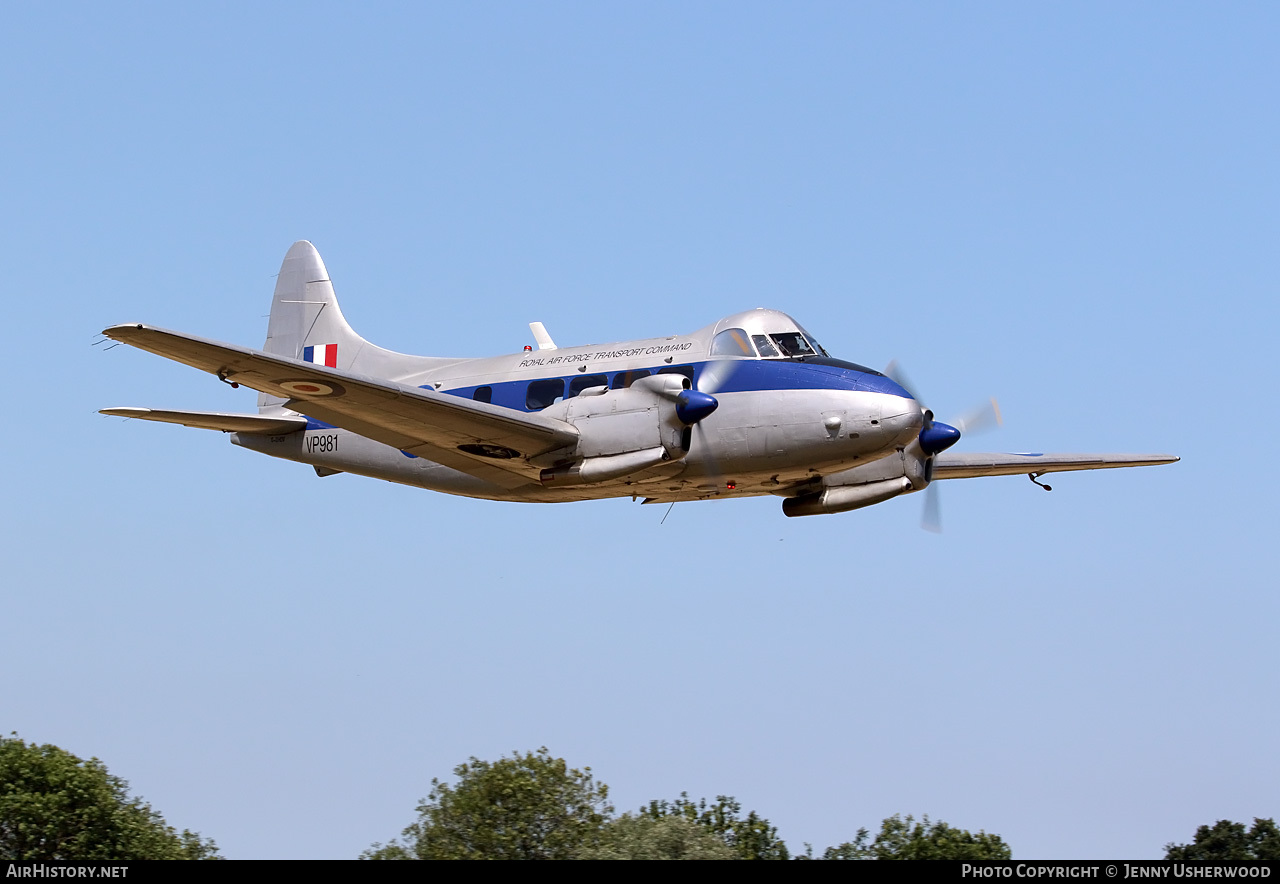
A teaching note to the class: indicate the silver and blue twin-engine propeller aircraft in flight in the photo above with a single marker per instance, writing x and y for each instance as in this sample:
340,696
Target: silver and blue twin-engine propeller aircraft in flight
749,406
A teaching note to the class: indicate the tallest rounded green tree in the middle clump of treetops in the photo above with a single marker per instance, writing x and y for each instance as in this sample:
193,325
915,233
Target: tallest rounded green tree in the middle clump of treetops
525,808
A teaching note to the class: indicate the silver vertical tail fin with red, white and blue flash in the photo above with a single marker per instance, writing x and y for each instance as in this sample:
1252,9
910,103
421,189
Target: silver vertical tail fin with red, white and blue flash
308,324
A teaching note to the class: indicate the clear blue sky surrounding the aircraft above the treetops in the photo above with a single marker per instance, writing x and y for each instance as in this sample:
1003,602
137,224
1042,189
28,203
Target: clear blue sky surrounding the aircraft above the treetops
1073,208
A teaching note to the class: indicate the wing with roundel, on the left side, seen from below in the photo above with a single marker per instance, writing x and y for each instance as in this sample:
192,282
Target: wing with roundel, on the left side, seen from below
423,423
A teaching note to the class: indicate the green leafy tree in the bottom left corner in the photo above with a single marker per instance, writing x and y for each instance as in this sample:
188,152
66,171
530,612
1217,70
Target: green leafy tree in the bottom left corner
56,807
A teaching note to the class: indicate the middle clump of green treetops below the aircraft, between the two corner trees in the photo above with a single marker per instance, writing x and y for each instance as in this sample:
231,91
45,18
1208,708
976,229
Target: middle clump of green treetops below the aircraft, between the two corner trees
534,807
